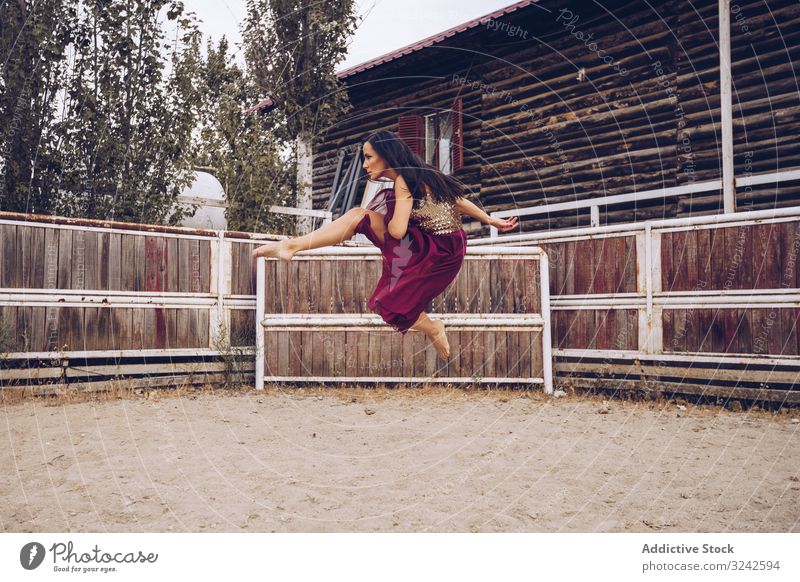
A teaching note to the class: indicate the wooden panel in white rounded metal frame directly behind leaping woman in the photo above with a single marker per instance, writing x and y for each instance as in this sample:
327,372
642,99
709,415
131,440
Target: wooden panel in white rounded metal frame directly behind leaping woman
316,325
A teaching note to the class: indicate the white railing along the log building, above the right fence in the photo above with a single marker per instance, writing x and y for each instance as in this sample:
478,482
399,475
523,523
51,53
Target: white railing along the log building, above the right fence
594,204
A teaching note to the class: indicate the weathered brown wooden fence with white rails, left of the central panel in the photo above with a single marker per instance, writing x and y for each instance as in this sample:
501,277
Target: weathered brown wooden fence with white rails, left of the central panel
75,294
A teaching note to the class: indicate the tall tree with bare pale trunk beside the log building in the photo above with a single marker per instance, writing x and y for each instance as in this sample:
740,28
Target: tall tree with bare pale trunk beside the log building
292,49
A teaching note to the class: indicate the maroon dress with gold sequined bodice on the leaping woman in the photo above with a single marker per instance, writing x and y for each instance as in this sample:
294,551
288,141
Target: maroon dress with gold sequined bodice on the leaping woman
419,266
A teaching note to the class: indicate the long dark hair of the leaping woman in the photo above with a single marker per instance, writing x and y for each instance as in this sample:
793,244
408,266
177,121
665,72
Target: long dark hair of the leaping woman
415,171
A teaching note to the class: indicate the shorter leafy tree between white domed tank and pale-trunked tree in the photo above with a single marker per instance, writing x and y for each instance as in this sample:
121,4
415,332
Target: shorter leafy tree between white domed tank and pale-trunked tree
243,152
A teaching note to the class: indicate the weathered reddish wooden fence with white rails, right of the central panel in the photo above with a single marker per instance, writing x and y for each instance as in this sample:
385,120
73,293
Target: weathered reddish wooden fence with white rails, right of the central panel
705,305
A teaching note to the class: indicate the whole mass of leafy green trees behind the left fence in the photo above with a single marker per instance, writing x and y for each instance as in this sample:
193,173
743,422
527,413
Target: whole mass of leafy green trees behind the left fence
106,107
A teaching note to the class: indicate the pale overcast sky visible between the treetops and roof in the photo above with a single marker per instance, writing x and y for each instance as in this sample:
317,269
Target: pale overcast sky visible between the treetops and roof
387,24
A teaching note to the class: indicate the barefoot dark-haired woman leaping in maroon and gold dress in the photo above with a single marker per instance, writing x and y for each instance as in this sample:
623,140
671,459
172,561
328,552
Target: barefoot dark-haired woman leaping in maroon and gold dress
417,227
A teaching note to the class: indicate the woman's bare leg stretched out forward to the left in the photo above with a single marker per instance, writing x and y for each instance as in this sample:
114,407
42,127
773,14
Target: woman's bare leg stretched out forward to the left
340,230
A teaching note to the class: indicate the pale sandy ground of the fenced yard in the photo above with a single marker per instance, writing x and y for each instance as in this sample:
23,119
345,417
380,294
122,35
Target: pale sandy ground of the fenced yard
292,460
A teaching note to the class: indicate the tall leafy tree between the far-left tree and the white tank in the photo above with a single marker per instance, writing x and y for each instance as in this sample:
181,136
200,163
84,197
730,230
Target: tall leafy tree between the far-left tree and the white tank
125,136
